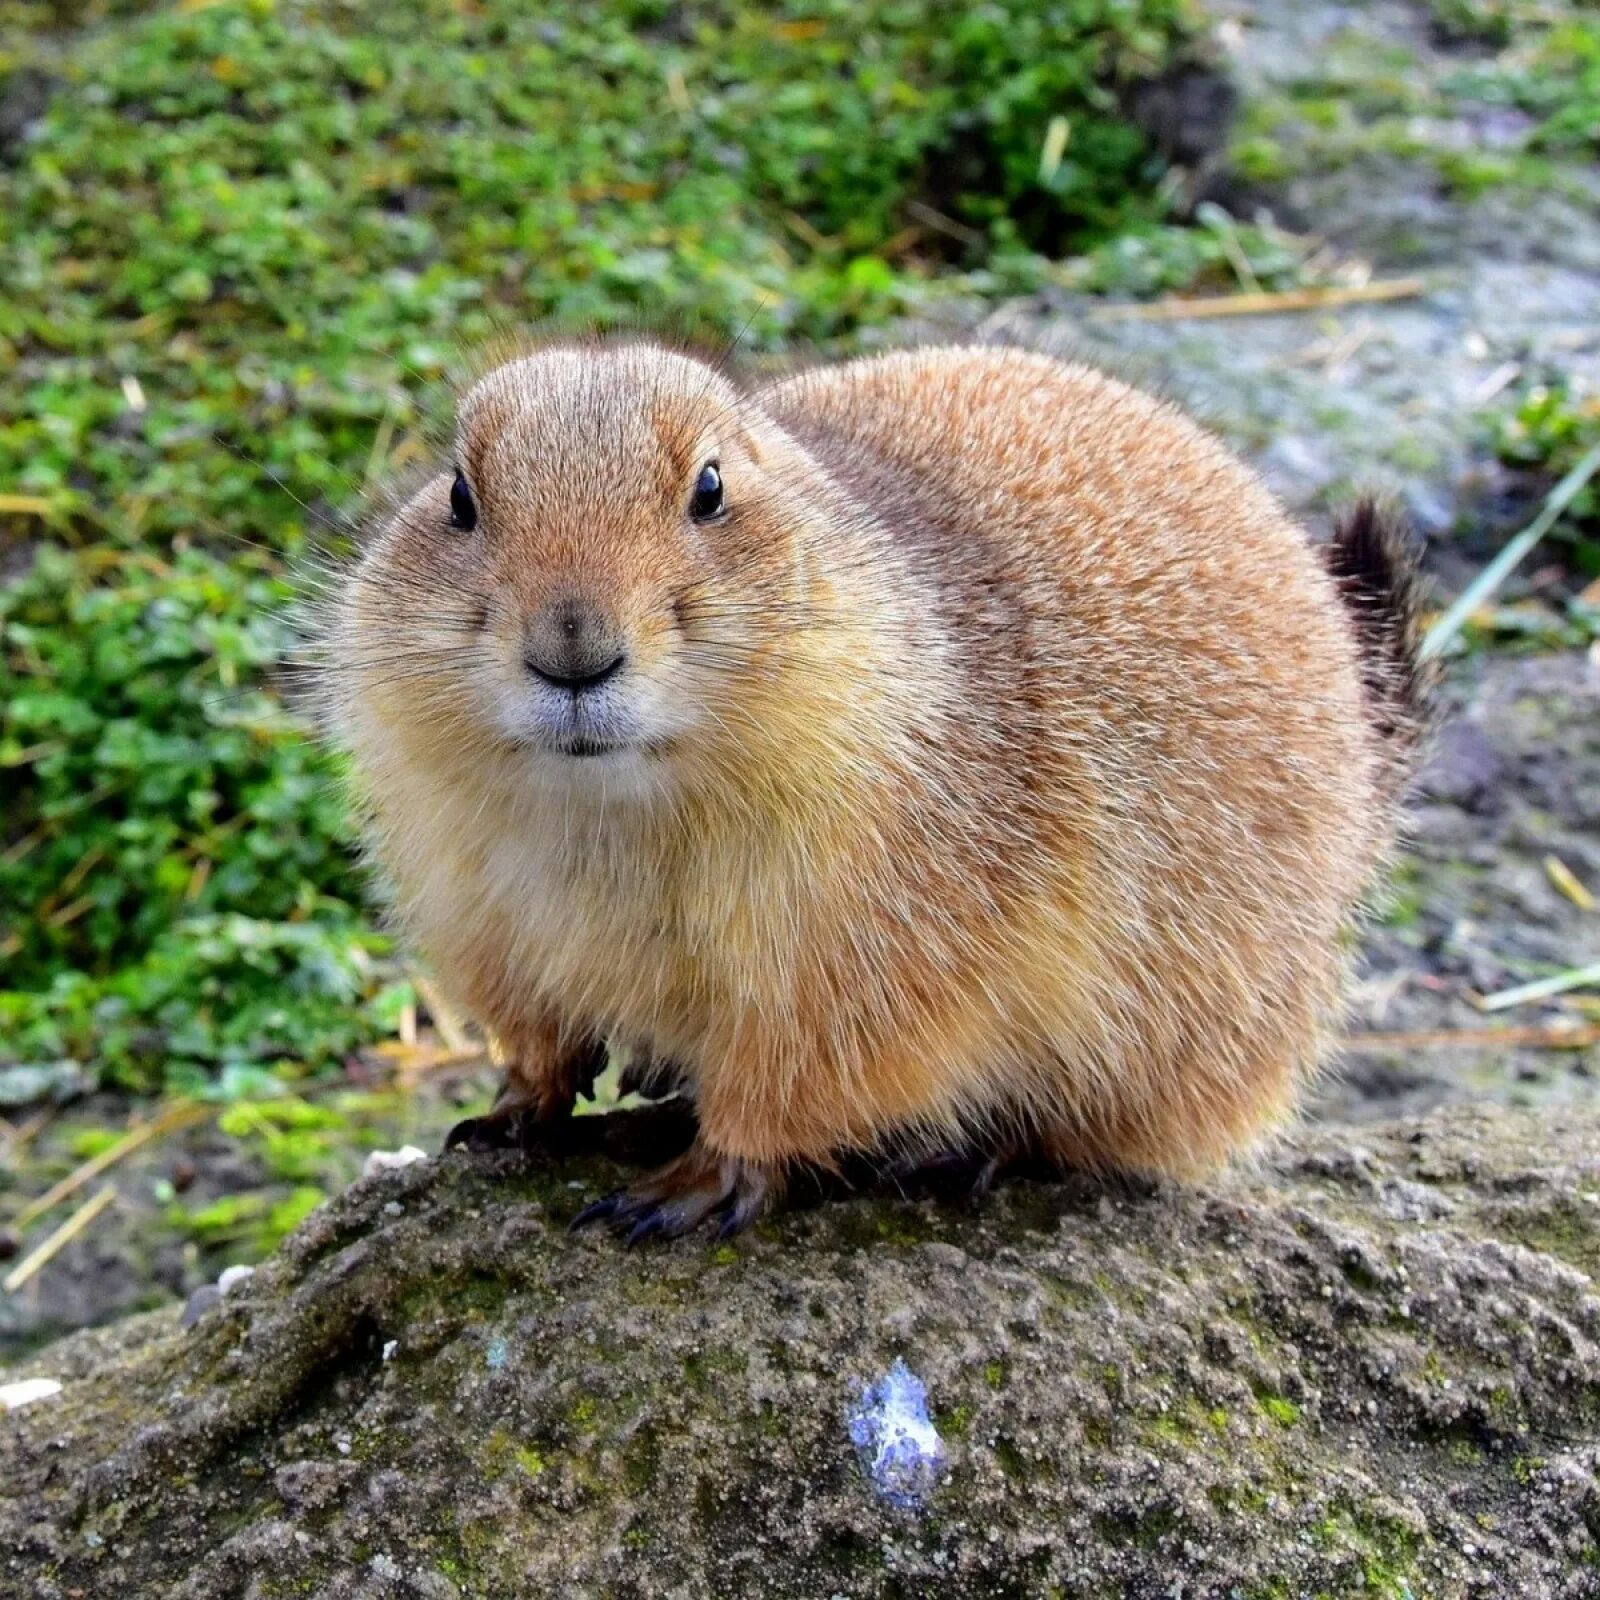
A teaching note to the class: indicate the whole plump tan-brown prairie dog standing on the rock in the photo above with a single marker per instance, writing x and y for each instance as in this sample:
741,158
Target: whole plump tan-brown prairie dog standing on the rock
948,750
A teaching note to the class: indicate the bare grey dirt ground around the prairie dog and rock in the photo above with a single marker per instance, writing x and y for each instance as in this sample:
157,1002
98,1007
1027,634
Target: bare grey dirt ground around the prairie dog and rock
1380,396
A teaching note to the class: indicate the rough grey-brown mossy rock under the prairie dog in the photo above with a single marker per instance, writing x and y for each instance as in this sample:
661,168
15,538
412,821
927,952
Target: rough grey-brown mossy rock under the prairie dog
1372,1366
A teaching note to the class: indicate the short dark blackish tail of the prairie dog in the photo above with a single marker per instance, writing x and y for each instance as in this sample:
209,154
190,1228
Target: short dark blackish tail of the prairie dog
1374,562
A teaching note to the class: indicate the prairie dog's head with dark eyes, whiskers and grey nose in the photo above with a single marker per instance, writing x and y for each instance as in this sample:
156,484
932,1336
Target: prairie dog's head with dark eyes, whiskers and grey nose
606,562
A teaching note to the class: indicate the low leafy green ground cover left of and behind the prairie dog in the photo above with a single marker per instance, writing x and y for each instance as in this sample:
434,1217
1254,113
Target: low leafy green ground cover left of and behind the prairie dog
244,244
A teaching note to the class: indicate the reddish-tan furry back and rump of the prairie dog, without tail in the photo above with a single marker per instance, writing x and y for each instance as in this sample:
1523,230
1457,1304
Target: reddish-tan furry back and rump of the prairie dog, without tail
1167,658
